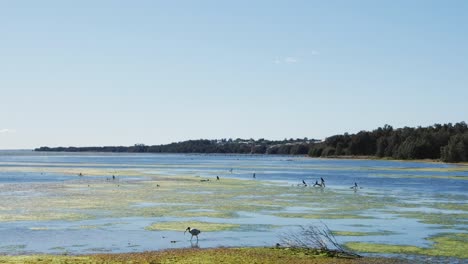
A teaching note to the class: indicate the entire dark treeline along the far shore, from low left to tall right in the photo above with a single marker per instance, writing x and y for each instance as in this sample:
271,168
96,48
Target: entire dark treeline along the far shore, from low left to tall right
446,142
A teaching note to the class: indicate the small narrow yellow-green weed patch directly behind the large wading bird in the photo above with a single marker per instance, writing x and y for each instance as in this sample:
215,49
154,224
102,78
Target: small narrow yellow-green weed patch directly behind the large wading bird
181,226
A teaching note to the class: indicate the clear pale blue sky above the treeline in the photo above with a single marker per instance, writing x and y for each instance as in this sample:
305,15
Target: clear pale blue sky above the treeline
93,73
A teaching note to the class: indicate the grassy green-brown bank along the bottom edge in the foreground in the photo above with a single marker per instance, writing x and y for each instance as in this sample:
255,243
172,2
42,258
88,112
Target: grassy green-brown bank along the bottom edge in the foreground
190,256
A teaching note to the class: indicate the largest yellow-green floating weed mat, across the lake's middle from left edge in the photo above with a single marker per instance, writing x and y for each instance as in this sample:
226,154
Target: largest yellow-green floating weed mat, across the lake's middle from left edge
85,200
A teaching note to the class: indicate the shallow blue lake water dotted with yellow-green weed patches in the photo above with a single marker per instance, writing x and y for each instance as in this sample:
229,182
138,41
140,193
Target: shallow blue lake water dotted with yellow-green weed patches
46,207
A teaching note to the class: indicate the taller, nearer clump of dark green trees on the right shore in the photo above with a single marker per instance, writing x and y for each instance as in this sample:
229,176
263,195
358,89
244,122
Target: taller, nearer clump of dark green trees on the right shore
446,142
